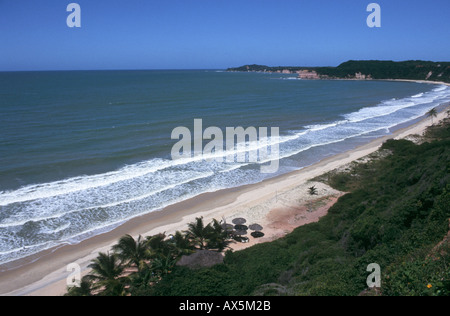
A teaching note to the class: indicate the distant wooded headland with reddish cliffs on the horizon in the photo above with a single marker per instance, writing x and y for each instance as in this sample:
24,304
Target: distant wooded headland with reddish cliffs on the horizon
364,70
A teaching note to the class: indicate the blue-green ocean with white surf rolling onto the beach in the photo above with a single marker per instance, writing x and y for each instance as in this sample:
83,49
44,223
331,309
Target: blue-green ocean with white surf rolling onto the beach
83,151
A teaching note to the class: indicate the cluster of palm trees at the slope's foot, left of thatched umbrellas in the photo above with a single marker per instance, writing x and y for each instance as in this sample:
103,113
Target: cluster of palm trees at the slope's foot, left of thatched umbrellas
134,265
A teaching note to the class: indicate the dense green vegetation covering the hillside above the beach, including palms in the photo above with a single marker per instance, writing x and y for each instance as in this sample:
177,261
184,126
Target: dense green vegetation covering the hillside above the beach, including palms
396,215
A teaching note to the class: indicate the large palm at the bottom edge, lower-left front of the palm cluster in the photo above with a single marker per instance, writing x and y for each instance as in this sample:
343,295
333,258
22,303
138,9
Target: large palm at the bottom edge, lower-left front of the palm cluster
106,273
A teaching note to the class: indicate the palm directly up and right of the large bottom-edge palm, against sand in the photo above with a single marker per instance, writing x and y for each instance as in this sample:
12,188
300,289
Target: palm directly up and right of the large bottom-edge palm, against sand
131,251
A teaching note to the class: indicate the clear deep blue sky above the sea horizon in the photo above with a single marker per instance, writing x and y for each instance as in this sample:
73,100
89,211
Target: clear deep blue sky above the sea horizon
216,34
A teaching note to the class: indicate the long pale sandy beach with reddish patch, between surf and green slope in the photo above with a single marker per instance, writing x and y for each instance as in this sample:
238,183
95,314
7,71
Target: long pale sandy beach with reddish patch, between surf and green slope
279,204
